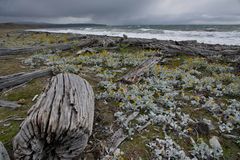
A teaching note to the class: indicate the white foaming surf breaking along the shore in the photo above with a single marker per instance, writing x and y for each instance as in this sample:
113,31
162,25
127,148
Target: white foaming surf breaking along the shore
229,38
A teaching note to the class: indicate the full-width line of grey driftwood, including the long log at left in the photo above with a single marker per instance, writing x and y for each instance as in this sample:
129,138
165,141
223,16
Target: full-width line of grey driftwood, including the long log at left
229,53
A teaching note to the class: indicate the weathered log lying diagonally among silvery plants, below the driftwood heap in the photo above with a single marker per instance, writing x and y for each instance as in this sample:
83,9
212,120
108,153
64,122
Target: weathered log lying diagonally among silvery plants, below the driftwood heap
133,75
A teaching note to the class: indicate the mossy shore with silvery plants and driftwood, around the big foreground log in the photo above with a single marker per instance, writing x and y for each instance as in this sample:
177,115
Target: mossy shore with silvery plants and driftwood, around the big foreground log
181,100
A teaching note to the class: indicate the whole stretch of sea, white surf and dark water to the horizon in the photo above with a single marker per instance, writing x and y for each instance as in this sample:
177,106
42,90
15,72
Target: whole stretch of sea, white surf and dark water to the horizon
211,34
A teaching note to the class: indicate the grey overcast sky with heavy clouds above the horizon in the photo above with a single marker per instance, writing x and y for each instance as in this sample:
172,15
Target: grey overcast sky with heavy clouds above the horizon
122,11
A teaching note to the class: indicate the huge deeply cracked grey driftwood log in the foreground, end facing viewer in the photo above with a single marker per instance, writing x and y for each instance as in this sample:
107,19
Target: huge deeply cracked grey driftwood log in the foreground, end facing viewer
59,124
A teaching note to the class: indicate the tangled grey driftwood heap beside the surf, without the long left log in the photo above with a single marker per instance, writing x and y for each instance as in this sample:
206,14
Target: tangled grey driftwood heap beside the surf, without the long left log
169,48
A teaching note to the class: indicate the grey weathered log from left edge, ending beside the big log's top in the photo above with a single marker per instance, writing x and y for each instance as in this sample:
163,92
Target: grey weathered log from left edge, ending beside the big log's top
17,79
